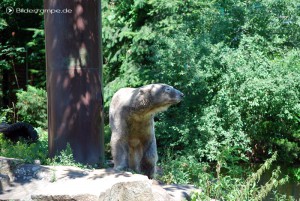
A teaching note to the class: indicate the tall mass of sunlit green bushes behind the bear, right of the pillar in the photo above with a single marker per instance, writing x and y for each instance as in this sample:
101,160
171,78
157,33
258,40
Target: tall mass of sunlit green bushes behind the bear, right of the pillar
237,62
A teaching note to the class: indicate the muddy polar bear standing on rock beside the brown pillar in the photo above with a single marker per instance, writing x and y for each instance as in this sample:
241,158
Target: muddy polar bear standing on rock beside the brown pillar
131,119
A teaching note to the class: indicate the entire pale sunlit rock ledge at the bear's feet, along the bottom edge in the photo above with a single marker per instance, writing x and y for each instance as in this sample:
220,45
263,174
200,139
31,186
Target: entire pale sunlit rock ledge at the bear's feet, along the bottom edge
46,183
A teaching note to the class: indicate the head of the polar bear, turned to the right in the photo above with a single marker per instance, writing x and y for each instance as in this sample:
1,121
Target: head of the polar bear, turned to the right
156,98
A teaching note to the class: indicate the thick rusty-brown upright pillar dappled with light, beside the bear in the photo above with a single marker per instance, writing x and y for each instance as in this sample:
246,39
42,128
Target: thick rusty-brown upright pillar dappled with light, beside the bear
74,78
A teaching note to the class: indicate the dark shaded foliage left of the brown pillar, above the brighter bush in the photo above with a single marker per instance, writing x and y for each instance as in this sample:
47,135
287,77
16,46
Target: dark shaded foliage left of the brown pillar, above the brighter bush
22,49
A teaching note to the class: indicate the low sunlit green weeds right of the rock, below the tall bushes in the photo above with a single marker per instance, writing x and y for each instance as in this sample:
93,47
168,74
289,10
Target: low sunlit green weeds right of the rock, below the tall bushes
222,186
